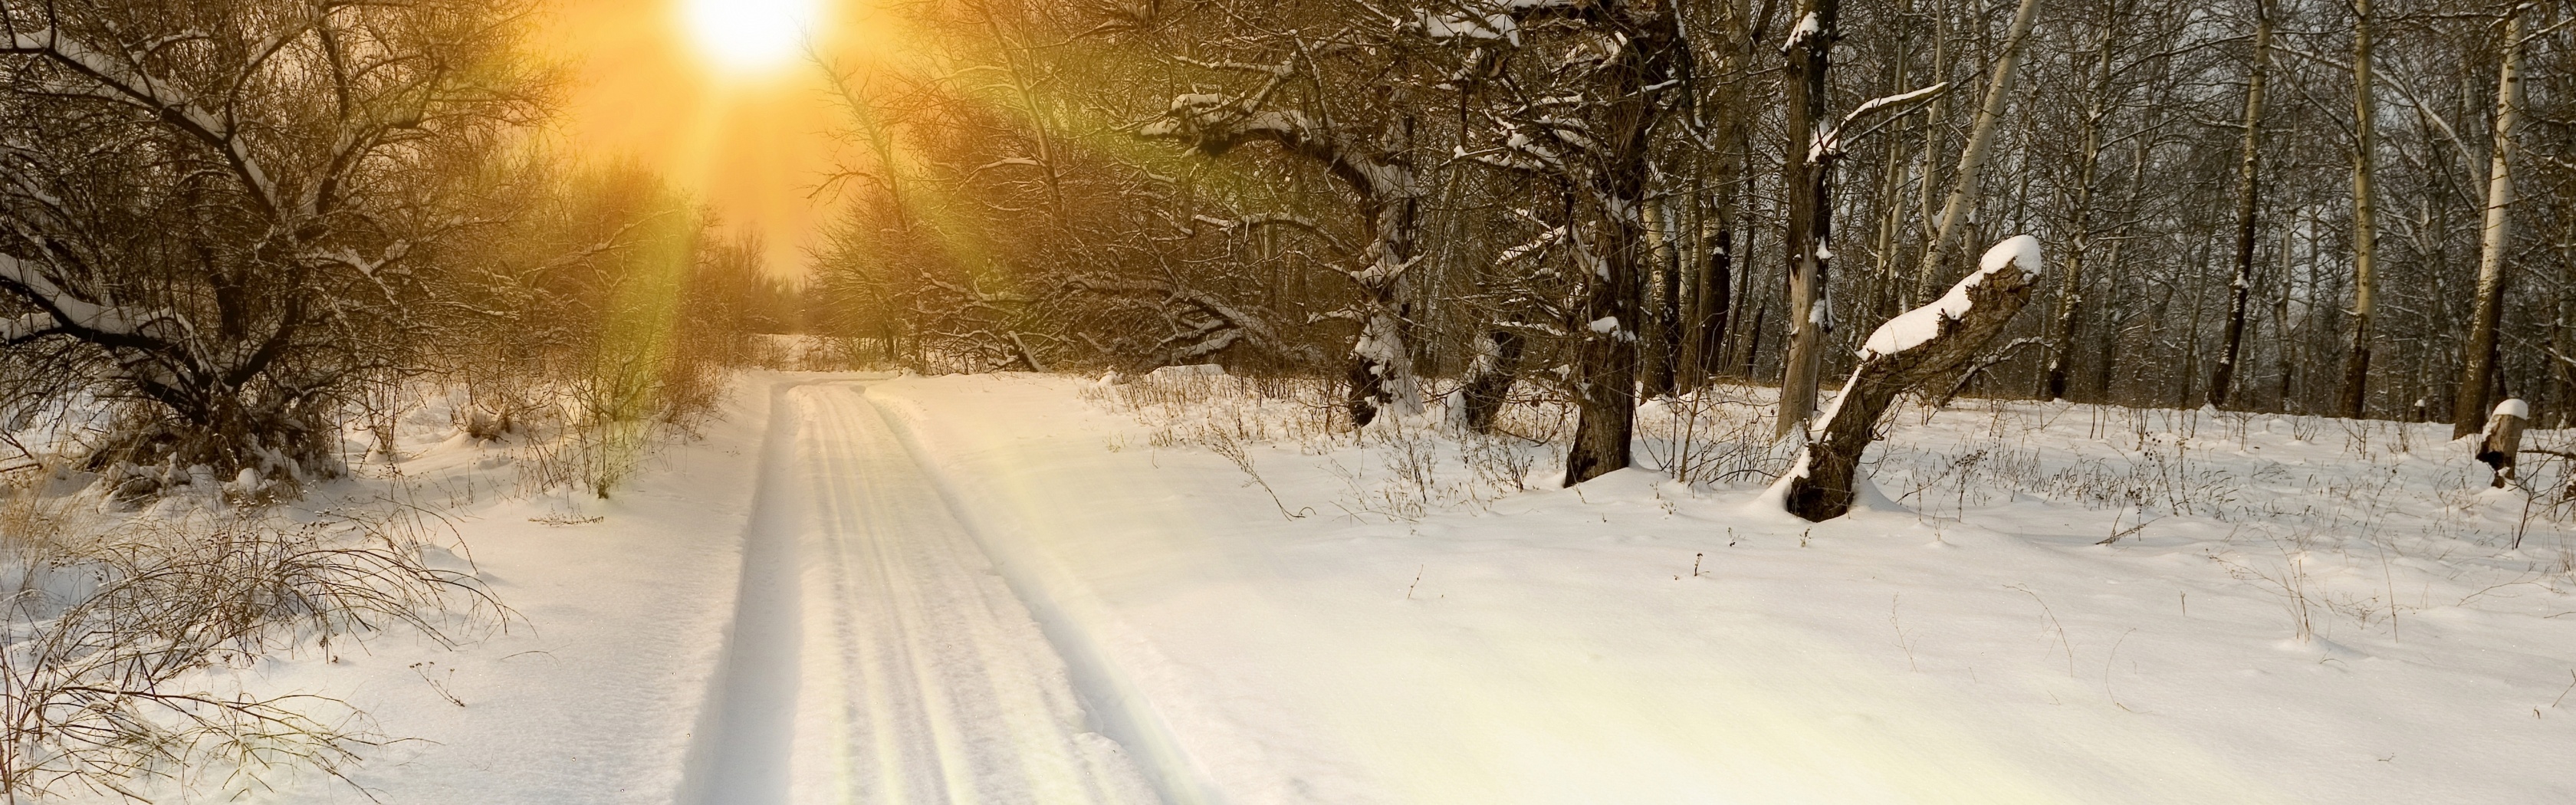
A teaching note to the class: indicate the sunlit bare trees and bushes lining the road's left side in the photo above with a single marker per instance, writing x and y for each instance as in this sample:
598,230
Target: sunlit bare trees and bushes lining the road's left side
243,226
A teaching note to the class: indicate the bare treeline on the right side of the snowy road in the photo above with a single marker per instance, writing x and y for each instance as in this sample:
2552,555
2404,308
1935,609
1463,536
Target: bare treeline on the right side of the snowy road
2351,208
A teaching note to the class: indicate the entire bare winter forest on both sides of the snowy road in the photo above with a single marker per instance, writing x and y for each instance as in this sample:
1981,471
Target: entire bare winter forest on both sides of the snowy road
249,215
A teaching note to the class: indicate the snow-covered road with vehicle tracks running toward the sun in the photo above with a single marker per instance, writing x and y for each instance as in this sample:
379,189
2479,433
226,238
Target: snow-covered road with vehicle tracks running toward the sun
877,657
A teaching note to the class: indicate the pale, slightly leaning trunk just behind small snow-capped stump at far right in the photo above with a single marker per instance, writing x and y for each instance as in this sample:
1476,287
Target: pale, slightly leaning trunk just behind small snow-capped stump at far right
2479,365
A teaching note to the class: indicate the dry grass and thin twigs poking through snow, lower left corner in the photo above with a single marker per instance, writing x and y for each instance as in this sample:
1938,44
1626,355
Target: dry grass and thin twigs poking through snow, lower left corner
125,631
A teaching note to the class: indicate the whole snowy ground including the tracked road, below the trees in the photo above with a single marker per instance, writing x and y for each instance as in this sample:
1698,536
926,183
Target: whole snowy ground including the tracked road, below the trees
1047,590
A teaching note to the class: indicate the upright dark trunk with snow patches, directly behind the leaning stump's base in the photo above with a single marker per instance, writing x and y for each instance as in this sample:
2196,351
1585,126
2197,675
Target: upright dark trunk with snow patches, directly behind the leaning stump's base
1807,179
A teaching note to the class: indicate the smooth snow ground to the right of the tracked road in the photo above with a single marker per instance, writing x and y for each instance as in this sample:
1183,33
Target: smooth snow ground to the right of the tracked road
1552,646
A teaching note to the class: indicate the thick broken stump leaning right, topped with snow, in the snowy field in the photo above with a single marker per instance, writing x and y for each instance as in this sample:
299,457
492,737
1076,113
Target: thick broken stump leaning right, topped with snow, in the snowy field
1902,355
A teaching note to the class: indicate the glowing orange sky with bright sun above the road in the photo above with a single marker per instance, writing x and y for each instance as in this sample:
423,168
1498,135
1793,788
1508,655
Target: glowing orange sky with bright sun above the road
712,94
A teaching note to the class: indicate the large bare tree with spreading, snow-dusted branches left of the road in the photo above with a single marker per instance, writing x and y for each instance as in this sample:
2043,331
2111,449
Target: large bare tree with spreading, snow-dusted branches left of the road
228,210
